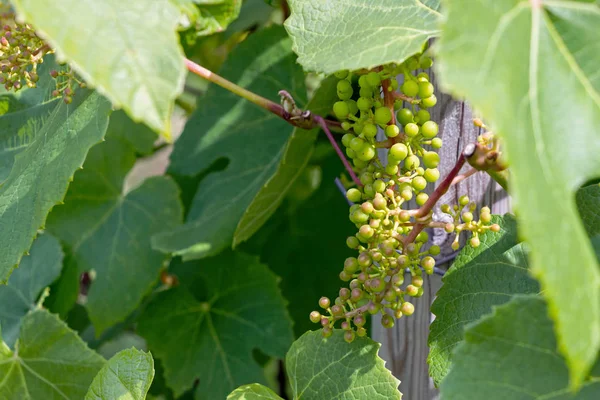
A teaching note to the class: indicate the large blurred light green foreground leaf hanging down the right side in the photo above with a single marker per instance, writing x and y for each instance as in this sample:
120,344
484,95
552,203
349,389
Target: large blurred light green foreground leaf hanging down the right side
509,65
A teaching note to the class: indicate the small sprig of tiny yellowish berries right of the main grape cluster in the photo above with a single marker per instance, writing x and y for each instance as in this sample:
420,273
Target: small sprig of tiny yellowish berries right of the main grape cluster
463,221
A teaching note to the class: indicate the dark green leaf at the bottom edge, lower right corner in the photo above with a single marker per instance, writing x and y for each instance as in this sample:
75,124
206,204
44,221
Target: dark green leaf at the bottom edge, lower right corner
511,354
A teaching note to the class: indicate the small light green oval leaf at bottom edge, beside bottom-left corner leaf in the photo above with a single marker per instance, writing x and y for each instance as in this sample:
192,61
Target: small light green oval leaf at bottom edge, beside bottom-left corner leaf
126,376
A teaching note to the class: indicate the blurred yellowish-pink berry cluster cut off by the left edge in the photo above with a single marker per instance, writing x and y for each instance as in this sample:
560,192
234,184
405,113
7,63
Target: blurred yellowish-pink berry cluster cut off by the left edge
21,50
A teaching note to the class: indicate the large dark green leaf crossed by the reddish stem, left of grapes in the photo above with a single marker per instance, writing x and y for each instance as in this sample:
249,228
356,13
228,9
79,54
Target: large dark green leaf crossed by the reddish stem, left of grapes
226,126
